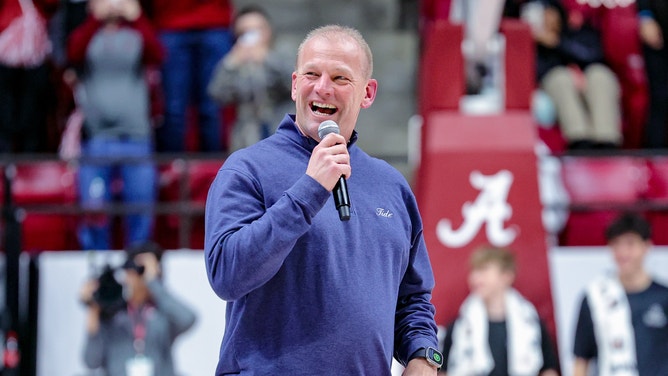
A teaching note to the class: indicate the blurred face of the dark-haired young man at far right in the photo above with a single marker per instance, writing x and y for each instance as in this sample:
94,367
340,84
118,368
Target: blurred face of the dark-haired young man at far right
629,252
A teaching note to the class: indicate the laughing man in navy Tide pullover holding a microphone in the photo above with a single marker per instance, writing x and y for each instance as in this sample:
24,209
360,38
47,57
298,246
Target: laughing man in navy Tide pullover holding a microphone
308,293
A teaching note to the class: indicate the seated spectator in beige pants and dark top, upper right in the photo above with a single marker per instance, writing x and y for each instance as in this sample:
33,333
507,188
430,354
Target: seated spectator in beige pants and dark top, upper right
572,71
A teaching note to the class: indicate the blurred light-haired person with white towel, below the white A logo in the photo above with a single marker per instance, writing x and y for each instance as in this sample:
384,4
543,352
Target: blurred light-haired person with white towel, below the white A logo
498,331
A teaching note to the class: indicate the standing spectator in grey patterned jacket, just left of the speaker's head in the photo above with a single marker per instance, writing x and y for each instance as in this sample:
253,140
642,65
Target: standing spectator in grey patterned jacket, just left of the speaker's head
254,77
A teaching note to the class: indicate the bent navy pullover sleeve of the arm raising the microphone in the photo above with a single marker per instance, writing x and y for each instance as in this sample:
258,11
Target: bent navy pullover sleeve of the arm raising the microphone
246,242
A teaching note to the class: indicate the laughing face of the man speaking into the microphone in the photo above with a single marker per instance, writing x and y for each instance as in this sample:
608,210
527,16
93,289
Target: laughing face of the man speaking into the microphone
329,84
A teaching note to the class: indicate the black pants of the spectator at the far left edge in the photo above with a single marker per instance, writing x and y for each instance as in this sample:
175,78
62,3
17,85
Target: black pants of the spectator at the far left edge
23,108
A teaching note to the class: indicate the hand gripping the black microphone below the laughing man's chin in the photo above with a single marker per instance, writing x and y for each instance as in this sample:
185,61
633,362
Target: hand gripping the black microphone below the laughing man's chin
329,160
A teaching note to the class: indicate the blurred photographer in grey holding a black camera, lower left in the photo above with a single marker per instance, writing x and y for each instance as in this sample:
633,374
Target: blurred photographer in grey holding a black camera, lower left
135,337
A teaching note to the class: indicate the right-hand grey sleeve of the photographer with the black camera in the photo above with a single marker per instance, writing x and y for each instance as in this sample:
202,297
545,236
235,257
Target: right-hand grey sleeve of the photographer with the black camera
179,315
